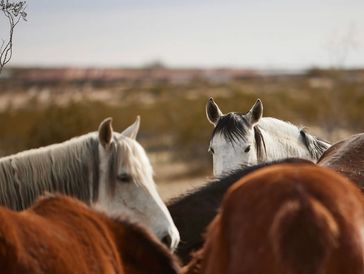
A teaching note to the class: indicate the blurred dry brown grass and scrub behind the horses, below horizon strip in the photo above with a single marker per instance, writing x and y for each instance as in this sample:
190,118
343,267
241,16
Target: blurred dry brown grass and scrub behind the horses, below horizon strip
174,128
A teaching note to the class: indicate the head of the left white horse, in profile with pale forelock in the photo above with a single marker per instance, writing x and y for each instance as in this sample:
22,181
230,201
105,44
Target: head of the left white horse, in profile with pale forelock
126,182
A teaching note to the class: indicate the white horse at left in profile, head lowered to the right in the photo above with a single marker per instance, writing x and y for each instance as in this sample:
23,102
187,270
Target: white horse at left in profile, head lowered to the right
105,169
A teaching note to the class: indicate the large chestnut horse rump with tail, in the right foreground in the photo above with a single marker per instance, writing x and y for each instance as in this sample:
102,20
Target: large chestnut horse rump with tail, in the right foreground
296,219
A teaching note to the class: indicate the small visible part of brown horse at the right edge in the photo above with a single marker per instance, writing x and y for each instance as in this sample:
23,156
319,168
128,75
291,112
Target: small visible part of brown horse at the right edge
347,158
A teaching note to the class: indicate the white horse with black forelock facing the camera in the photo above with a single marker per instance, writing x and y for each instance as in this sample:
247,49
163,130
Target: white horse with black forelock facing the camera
247,139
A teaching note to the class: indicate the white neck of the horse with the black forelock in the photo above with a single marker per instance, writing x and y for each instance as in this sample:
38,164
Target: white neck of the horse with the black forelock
282,139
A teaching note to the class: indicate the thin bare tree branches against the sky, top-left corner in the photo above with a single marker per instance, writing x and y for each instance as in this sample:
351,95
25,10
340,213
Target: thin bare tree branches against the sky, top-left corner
14,12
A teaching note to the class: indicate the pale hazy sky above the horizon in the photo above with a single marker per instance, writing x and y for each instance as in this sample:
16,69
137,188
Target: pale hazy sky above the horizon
285,34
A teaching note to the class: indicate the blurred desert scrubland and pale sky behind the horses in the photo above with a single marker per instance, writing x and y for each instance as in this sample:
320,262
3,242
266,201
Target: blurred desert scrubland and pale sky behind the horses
76,62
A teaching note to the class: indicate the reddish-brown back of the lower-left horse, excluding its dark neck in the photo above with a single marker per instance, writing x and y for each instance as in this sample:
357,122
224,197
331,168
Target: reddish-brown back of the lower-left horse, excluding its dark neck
49,239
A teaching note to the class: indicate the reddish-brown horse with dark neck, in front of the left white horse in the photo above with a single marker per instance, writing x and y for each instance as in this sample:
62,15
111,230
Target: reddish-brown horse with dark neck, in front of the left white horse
61,235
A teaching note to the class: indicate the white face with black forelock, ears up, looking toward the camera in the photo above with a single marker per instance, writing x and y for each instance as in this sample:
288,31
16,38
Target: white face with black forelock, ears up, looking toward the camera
233,142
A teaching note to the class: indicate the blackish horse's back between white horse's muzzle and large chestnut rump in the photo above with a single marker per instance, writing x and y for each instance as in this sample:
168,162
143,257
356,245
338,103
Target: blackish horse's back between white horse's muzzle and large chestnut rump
193,211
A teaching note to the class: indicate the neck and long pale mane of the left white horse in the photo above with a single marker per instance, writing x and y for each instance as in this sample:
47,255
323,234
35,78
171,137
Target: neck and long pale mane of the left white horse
70,168
